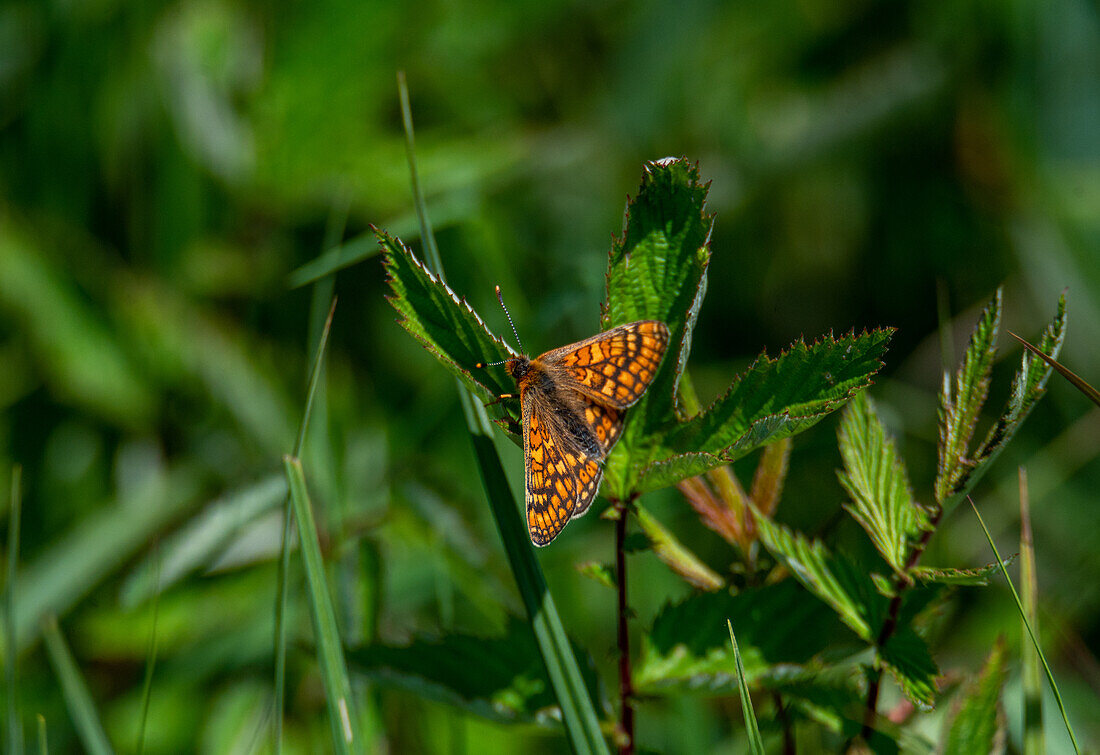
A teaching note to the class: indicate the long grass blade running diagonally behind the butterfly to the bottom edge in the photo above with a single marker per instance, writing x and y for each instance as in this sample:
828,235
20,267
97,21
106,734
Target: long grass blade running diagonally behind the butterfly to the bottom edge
579,714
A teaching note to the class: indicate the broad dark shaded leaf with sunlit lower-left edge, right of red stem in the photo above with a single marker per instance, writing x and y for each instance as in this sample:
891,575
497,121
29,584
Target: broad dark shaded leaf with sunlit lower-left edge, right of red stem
688,650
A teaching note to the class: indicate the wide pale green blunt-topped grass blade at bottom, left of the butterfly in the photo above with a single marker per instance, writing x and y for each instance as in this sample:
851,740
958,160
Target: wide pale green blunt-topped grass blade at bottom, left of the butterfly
327,634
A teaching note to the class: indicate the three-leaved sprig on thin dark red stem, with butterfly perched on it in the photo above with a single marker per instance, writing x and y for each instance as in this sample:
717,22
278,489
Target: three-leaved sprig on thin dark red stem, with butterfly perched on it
657,271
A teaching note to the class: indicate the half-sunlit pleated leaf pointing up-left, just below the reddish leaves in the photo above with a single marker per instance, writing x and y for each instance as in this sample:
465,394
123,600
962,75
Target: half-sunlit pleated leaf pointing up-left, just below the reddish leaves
833,578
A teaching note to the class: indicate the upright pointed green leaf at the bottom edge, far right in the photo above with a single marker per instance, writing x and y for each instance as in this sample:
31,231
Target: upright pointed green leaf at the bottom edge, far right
980,723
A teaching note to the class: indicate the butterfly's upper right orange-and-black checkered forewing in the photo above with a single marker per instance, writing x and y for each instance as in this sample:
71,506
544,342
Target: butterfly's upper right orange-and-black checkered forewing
614,368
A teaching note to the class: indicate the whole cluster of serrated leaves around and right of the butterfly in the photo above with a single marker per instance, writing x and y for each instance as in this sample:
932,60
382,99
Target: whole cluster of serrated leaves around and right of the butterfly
658,271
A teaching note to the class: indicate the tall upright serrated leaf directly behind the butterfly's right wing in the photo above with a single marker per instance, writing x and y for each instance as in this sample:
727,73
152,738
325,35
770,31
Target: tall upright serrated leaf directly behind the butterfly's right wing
657,270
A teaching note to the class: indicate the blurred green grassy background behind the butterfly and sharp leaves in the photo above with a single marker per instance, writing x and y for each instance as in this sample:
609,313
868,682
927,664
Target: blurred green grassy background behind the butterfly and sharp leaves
164,168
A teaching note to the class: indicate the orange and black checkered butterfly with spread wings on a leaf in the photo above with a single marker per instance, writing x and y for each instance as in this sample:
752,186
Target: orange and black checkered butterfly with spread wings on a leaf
573,401
